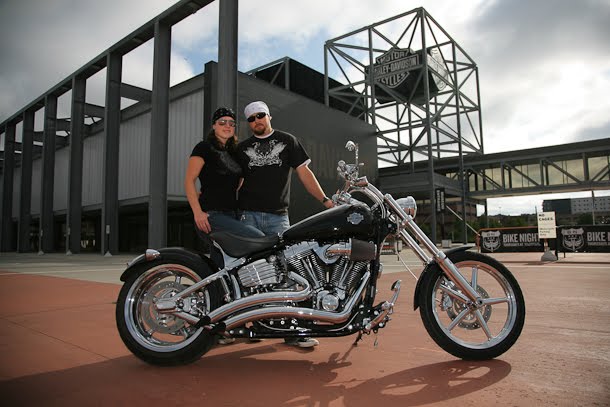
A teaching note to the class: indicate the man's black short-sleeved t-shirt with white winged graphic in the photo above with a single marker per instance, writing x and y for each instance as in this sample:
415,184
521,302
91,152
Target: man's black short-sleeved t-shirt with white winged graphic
267,164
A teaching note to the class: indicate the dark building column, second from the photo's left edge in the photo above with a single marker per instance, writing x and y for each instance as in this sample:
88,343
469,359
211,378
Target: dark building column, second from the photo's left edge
25,201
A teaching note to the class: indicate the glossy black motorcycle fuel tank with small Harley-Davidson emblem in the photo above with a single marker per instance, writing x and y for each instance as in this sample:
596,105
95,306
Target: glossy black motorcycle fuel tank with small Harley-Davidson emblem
342,221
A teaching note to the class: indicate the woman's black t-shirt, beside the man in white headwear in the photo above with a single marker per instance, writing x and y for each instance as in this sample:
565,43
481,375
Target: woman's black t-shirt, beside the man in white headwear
219,178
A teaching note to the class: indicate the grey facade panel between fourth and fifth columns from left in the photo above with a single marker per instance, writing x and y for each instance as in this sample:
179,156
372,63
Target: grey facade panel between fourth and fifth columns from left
93,169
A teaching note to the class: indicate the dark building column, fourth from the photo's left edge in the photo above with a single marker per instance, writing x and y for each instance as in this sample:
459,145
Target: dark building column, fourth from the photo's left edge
75,171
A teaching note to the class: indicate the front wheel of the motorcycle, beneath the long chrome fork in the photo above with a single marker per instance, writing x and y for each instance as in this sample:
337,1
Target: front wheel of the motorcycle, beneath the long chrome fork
466,331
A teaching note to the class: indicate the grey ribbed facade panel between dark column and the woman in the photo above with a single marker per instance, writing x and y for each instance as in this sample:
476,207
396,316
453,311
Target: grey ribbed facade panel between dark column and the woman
185,130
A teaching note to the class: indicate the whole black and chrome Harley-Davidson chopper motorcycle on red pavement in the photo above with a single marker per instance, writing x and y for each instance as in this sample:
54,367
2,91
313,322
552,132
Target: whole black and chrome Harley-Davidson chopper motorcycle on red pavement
317,279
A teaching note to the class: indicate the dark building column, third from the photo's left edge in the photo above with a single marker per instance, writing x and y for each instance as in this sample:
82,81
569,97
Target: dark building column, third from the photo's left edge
46,233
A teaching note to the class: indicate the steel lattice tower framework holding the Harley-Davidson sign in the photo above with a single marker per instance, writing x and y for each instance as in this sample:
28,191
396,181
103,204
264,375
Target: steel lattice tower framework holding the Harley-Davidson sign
416,85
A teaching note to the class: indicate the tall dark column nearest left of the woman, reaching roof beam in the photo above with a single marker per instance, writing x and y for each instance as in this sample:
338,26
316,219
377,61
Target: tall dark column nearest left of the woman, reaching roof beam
157,205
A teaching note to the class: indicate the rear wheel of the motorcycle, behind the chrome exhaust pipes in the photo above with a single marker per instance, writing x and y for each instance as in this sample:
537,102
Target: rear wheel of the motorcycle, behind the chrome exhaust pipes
159,338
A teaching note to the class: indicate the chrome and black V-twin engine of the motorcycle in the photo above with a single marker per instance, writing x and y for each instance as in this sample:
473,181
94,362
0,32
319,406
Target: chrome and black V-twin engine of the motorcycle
333,270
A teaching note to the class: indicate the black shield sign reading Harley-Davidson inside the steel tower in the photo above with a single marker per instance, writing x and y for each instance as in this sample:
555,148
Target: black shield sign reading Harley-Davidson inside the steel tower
398,71
